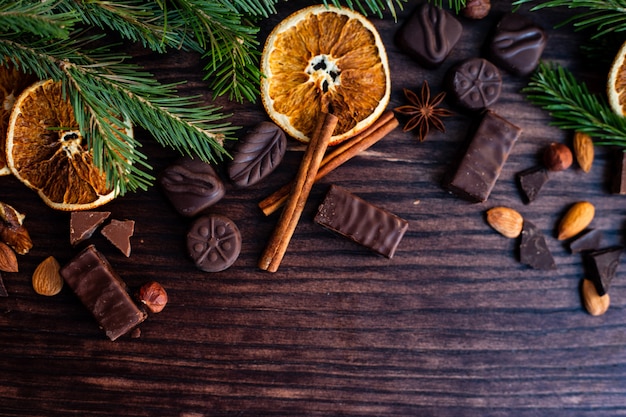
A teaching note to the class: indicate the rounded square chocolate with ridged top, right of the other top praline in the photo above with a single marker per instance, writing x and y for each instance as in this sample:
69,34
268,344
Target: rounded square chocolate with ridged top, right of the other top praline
517,44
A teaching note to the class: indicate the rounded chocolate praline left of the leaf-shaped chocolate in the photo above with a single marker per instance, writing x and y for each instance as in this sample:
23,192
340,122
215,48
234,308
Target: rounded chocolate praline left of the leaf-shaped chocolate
191,185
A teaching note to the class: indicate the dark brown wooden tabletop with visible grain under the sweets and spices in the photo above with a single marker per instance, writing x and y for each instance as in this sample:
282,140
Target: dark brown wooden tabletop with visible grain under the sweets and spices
453,325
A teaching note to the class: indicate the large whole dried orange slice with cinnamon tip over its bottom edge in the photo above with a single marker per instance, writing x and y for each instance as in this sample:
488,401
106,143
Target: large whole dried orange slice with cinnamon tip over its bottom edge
324,58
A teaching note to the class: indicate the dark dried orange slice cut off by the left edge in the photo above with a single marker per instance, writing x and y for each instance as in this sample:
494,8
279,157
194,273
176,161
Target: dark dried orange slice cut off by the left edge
12,83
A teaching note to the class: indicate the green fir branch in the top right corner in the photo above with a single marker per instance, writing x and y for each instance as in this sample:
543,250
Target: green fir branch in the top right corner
605,16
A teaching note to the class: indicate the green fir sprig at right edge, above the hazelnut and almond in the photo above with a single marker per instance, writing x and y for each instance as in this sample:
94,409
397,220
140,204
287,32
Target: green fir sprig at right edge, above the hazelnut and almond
573,107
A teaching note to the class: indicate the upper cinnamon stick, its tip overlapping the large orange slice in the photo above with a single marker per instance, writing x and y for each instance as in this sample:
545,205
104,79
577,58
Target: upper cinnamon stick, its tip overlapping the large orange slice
309,166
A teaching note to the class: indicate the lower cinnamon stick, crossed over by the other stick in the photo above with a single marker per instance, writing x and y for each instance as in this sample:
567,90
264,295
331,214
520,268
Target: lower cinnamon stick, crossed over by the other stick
359,143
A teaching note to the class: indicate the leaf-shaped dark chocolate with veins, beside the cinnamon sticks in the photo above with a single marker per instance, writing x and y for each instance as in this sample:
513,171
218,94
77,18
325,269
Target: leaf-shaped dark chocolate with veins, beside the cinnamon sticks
257,154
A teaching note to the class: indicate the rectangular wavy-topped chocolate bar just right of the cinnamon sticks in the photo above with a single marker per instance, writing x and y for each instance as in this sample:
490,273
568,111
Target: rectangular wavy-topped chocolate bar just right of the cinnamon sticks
362,222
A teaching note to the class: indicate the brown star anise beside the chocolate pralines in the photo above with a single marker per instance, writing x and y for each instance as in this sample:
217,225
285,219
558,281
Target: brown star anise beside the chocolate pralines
423,111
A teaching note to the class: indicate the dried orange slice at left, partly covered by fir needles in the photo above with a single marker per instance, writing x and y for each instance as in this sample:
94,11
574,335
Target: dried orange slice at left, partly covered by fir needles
46,151
